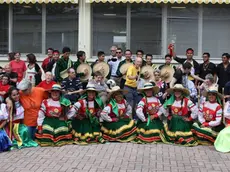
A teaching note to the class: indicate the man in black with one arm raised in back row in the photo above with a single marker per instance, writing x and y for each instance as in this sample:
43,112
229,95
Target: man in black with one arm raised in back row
195,65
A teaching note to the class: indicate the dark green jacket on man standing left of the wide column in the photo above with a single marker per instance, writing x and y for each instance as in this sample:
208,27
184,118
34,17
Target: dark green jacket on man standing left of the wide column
62,65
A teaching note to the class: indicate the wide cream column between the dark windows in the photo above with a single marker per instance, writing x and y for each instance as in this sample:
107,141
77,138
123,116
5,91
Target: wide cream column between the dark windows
84,28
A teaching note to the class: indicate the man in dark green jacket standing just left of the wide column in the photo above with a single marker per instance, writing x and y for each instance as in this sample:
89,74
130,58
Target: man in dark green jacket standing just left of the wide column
63,64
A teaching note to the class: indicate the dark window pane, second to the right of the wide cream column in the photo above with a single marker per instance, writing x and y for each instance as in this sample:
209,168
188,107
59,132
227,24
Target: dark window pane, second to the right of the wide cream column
146,28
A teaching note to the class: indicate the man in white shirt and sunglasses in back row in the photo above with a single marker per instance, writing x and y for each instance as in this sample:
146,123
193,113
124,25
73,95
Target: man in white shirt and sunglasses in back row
114,63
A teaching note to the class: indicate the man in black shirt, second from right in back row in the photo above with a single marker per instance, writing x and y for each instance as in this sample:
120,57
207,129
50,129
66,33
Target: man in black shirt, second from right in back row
207,67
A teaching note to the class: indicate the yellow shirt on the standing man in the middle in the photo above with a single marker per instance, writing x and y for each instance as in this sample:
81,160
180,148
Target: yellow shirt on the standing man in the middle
132,71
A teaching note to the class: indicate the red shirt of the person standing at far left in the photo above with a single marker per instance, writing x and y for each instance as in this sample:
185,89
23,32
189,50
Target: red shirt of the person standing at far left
19,67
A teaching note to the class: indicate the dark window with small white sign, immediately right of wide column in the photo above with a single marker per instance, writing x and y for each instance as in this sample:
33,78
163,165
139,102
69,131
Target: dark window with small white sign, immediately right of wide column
109,26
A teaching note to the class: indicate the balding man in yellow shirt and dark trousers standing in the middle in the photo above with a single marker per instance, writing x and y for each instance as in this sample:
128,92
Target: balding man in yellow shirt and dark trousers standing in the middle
132,77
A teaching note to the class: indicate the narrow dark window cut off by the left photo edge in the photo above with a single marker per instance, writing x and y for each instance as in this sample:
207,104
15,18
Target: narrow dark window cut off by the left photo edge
4,28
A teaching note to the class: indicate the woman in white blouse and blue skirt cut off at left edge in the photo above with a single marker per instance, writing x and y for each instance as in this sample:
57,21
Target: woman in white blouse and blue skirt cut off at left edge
5,142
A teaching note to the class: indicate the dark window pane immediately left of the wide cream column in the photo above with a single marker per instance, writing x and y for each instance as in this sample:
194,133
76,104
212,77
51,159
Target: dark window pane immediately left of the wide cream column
62,26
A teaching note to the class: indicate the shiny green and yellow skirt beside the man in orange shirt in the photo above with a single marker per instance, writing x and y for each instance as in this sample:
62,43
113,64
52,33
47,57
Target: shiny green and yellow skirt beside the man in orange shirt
21,137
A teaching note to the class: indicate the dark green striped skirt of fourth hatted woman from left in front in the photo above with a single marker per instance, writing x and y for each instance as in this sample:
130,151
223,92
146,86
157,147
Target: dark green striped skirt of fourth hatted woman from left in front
151,133
